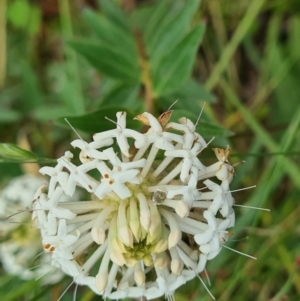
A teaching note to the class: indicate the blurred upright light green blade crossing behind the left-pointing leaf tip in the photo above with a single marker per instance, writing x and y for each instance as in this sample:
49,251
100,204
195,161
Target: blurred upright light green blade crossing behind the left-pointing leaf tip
77,103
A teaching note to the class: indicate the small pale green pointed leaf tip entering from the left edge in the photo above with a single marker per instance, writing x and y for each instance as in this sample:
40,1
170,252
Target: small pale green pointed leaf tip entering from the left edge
15,153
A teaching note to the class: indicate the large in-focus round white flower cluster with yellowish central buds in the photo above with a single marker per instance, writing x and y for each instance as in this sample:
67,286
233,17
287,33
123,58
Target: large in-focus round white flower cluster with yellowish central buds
154,216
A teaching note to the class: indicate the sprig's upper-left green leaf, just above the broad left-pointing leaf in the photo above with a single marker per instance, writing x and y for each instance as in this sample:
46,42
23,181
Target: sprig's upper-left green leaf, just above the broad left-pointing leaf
111,34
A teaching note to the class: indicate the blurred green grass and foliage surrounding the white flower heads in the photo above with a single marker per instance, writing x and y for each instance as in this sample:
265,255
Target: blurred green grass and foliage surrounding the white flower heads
87,59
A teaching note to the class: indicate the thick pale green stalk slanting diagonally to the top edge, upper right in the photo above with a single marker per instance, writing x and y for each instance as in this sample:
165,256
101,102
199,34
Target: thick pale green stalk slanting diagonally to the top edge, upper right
231,47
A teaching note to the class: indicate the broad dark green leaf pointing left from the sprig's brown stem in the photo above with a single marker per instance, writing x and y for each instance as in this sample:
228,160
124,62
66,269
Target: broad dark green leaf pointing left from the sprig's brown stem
107,60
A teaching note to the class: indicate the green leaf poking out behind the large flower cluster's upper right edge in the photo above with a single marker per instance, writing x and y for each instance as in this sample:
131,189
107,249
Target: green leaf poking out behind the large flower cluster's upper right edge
205,129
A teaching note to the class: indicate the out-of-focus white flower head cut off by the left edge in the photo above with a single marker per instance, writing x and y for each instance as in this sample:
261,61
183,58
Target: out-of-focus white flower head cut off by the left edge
22,244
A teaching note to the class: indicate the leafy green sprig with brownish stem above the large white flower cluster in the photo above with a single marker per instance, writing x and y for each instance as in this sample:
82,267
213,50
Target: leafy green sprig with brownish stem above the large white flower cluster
160,53
